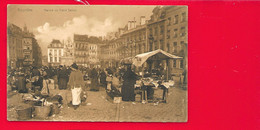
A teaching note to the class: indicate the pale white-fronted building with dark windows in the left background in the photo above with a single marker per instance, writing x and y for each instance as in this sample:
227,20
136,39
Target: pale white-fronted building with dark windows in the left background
55,52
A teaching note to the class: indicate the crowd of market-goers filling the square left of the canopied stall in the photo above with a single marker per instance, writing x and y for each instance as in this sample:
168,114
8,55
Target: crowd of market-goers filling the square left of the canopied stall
74,79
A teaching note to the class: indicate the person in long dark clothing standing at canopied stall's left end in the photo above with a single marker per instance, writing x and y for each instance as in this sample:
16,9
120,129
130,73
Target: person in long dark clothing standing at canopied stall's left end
128,85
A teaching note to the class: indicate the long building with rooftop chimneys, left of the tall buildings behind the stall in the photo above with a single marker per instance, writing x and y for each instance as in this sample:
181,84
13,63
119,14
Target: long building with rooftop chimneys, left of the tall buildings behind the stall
128,42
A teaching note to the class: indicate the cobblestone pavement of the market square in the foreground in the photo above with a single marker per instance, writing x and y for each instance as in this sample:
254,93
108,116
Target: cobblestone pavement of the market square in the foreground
99,107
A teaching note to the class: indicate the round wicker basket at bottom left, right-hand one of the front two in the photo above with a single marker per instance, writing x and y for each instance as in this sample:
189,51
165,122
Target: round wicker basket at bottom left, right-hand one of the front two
41,112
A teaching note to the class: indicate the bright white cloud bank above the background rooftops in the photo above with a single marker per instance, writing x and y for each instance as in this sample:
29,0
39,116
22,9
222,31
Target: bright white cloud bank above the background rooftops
78,25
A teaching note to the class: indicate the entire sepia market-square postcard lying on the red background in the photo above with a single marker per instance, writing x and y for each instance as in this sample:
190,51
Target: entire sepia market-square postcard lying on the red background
102,63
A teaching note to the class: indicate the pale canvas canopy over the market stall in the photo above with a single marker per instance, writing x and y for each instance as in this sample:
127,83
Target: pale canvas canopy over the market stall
159,54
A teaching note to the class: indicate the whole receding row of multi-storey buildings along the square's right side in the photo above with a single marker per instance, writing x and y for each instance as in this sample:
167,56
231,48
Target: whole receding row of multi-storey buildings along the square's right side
166,30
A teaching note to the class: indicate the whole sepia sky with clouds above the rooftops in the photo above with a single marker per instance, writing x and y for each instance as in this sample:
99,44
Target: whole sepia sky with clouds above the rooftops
60,22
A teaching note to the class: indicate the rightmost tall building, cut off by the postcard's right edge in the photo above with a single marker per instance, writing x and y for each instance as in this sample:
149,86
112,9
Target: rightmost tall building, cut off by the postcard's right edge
177,37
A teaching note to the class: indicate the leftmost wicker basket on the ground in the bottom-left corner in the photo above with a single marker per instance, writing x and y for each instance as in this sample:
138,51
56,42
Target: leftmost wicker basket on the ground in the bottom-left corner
24,114
